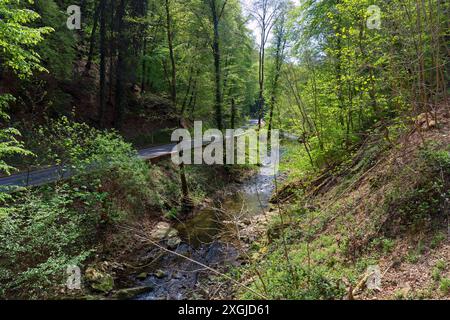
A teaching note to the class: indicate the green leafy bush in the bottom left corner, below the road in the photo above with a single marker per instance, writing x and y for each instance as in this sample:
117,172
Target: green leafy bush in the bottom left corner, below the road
41,235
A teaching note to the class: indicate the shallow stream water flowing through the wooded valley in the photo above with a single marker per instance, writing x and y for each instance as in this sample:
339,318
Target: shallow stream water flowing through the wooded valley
209,237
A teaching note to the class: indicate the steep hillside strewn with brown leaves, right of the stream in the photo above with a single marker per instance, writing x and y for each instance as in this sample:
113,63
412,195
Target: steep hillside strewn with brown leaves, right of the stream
387,208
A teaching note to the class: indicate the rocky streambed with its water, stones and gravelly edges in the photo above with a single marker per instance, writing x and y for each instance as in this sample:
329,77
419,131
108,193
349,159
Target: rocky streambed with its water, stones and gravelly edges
216,237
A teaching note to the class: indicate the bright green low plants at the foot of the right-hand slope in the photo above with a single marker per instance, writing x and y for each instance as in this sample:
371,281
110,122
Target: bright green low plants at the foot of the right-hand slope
315,267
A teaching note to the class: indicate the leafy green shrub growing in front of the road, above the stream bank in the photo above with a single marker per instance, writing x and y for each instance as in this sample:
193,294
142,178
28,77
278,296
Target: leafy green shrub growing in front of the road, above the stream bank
100,156
